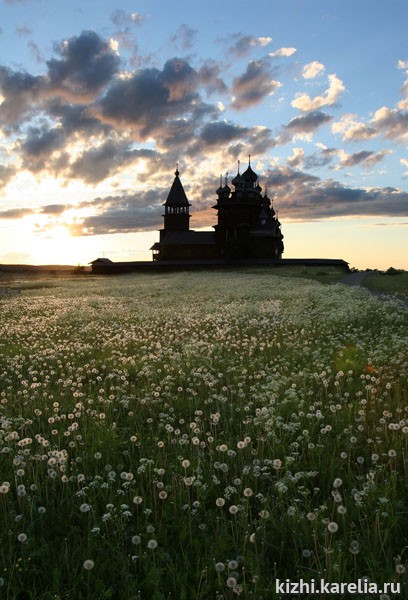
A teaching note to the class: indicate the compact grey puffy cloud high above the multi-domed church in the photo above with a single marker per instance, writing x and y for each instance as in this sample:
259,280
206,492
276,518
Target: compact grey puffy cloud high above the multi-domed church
251,87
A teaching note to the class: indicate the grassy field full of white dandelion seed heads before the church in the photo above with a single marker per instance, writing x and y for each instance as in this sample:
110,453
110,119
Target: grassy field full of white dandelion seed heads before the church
198,435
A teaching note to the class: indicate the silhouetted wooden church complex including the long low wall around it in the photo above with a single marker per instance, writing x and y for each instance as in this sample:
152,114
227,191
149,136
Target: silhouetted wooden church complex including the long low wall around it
247,232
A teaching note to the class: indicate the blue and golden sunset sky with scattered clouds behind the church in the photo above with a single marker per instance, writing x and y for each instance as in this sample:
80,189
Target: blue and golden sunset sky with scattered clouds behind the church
100,100
